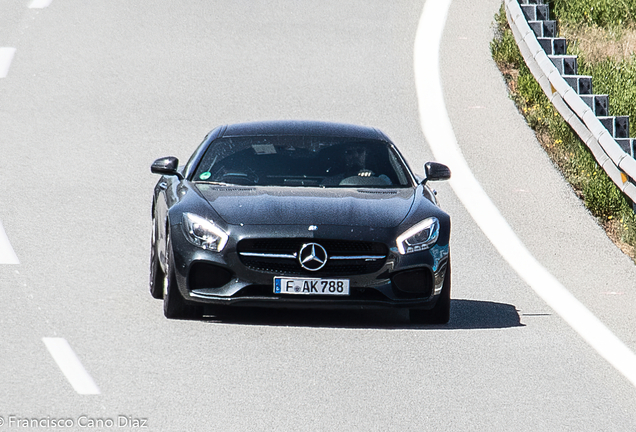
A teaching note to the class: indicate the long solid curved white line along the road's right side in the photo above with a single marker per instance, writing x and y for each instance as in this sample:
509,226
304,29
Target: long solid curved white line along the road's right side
439,133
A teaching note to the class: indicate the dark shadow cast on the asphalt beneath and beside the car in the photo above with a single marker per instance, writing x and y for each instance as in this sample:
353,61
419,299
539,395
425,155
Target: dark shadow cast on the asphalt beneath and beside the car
465,314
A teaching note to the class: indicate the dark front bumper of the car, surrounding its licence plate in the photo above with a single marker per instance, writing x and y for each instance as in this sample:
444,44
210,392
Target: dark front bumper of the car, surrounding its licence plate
220,278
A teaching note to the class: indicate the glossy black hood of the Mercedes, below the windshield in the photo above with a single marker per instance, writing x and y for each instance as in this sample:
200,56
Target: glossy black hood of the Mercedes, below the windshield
384,208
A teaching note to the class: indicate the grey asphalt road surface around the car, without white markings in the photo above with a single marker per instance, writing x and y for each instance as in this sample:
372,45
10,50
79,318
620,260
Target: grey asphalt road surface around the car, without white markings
97,90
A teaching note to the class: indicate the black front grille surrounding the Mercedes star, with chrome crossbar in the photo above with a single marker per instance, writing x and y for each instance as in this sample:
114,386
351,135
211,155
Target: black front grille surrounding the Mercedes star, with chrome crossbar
280,255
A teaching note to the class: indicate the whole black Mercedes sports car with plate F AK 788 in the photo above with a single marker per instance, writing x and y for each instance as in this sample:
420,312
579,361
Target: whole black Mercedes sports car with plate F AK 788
299,214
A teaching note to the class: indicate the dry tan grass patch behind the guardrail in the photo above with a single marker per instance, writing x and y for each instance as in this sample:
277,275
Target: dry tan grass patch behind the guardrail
596,44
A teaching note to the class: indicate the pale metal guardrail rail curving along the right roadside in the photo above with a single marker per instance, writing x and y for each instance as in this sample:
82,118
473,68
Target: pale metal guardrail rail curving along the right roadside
620,166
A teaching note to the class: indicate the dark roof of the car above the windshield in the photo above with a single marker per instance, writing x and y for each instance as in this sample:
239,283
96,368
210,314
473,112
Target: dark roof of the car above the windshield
303,128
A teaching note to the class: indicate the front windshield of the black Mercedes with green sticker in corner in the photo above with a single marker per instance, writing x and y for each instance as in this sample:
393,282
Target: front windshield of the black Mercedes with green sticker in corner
302,161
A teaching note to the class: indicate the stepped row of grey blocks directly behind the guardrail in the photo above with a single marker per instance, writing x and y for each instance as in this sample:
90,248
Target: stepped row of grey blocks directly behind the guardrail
538,16
